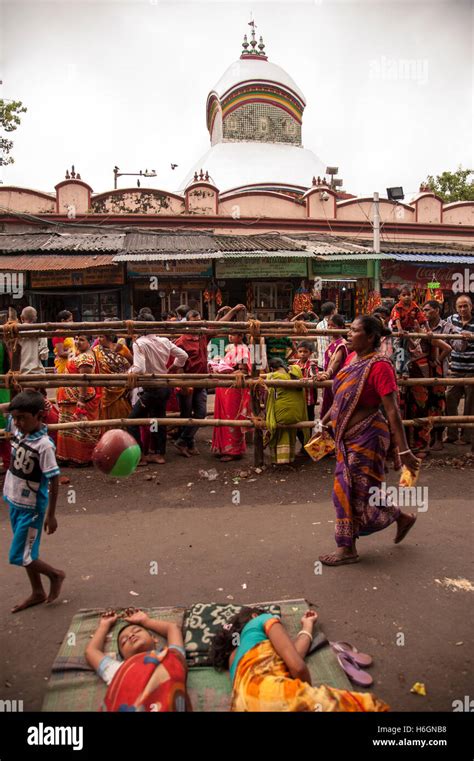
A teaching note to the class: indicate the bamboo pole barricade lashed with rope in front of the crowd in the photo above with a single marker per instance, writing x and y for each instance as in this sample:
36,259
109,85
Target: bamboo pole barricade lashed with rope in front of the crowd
257,330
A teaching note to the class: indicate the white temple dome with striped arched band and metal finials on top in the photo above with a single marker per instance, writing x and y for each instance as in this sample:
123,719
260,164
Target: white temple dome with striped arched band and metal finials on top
254,117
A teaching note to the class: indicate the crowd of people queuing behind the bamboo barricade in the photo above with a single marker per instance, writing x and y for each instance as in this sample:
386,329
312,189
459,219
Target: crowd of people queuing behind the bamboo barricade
282,358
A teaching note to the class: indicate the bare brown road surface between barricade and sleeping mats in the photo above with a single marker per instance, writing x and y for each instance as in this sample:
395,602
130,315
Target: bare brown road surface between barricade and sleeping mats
249,537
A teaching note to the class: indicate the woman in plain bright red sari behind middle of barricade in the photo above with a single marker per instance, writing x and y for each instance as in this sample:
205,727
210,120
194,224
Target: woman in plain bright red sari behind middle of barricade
232,403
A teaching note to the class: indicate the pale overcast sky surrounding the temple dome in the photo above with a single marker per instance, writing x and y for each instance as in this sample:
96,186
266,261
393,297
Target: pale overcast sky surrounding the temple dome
388,85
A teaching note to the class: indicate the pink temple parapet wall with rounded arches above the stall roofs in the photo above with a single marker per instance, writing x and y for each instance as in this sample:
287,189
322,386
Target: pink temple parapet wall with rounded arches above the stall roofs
203,199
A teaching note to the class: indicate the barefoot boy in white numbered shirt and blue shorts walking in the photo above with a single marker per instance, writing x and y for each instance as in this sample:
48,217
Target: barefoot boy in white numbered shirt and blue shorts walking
33,467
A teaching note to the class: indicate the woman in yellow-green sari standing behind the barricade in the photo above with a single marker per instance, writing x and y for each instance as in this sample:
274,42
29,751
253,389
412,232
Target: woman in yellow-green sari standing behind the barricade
284,406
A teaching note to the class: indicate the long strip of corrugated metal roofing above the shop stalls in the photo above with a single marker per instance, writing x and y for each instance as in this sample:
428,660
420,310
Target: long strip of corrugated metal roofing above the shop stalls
161,246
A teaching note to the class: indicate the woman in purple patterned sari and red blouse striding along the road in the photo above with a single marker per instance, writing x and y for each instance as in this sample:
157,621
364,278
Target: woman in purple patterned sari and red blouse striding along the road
362,438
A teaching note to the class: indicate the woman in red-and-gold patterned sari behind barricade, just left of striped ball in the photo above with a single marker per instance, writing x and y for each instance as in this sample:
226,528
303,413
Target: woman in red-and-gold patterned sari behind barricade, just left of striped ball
75,445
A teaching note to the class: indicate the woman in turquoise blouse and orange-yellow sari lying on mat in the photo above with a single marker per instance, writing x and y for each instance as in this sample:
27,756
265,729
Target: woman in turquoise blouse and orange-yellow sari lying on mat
268,671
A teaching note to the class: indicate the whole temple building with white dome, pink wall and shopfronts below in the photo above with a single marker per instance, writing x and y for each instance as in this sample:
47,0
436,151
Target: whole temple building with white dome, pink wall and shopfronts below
251,220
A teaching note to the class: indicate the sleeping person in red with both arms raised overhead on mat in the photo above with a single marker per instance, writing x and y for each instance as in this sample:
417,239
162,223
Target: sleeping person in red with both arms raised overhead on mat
144,677
